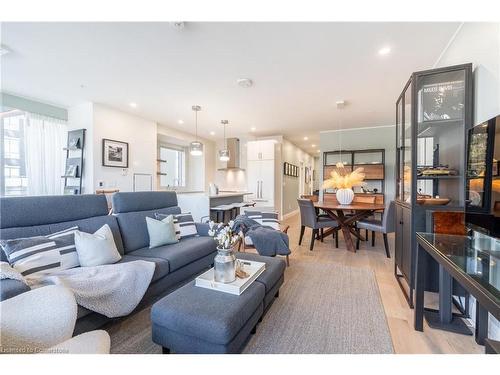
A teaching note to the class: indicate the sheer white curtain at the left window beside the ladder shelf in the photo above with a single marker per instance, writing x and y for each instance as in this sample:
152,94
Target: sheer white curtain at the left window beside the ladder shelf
44,140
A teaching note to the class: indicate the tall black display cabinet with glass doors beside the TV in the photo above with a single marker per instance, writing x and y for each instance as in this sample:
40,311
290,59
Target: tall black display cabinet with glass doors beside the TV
433,115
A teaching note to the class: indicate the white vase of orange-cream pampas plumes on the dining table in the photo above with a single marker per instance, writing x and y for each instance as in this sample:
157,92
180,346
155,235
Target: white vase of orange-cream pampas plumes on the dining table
343,181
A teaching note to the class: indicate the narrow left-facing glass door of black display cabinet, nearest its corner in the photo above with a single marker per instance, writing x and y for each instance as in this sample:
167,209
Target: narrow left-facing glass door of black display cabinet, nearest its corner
407,138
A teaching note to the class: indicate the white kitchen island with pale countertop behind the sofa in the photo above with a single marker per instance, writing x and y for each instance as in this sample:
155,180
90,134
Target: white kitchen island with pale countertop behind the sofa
199,202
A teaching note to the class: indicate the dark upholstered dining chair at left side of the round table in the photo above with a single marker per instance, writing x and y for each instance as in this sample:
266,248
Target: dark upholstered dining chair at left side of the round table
309,218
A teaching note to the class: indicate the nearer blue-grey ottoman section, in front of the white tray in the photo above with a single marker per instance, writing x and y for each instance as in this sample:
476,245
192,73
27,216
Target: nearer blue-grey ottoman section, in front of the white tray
199,320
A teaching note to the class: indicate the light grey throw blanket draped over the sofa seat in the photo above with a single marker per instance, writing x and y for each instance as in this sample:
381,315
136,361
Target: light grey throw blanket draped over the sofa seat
112,290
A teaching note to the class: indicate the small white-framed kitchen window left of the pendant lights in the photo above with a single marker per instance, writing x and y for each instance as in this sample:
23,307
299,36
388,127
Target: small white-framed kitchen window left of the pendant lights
172,167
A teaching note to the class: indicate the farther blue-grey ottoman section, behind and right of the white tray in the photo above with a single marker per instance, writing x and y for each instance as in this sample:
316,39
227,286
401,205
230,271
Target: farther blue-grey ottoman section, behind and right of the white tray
272,278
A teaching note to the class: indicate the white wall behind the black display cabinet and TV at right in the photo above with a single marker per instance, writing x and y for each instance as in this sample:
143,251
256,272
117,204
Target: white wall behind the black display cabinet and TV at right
479,43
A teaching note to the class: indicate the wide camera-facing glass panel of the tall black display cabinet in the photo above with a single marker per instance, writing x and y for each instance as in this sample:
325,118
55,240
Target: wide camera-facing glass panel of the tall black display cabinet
440,142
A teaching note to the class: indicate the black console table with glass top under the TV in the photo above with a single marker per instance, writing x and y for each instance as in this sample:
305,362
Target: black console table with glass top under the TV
475,269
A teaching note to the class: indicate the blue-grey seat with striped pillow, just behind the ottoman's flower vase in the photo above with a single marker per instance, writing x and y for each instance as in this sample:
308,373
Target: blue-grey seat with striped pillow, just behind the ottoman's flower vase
267,241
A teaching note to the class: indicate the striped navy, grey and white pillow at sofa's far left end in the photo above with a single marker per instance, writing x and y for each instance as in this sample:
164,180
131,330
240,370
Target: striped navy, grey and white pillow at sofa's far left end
36,256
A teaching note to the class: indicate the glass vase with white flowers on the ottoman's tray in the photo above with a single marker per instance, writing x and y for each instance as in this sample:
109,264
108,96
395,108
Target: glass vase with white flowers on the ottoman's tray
225,260
